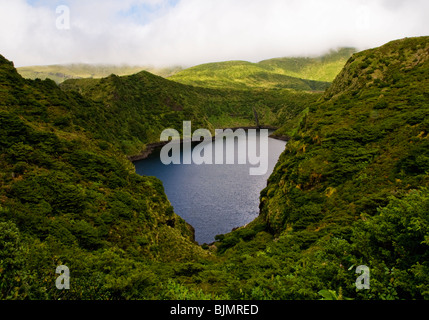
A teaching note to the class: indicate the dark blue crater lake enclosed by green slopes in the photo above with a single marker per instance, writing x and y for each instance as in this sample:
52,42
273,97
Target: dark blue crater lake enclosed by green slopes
215,198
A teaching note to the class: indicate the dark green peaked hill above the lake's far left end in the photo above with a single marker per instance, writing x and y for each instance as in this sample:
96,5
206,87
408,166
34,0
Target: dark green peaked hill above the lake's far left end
133,110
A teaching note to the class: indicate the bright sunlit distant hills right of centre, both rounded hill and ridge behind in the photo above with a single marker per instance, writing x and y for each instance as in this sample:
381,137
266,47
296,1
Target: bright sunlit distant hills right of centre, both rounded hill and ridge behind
307,74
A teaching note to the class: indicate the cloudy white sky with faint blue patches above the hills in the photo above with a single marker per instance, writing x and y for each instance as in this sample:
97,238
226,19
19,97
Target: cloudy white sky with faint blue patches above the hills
190,32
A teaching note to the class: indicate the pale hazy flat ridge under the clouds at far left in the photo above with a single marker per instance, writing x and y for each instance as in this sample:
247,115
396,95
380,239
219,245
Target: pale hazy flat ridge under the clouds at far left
60,73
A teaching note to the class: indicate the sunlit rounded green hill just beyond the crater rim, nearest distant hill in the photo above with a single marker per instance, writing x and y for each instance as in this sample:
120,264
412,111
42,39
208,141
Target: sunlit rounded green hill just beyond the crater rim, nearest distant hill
243,75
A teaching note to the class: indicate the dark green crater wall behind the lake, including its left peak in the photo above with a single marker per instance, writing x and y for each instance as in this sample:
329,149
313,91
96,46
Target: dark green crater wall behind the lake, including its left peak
133,110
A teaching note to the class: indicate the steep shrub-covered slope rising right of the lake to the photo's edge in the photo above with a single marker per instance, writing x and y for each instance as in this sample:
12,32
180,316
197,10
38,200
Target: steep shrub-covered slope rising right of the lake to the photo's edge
350,188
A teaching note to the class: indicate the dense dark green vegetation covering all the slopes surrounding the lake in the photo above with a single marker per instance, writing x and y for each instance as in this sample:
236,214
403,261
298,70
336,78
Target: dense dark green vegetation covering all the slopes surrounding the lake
350,189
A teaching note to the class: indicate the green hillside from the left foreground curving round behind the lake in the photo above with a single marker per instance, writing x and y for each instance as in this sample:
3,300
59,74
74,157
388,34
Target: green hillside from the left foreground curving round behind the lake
68,194
